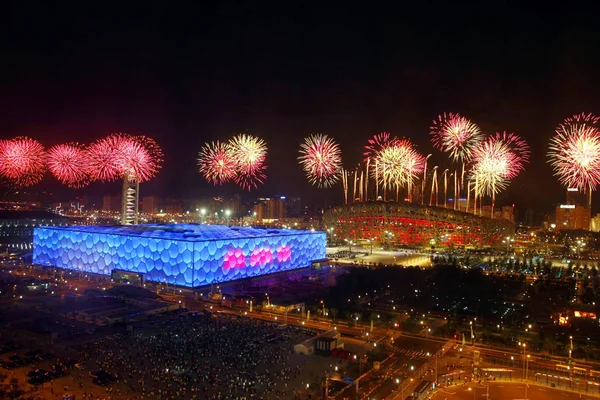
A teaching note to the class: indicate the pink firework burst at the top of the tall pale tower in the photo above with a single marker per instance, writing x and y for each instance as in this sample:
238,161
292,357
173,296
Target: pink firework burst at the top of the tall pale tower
139,157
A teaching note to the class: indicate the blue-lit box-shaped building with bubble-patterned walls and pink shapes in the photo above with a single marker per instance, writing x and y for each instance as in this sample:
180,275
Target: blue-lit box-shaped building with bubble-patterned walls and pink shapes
182,254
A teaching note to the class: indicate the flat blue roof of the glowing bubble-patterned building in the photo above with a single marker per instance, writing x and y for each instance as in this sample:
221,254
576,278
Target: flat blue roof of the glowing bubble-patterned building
187,232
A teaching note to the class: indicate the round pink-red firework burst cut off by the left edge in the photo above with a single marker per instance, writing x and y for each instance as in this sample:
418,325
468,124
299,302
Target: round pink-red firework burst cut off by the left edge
22,161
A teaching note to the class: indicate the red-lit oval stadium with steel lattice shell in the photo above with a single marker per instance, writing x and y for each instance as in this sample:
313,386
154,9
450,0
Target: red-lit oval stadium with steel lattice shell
413,224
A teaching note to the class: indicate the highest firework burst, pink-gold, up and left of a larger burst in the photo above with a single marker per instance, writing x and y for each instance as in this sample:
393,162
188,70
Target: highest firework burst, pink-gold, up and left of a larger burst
456,135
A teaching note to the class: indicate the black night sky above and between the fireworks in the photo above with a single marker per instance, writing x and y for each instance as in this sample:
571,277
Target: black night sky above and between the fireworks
191,74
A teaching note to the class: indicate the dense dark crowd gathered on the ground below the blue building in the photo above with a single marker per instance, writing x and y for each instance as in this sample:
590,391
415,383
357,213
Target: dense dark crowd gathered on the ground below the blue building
200,357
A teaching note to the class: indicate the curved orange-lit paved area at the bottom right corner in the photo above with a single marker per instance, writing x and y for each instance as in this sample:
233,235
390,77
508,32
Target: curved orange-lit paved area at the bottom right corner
505,391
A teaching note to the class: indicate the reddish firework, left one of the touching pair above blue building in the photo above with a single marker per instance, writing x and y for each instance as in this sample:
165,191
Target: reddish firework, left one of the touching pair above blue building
216,163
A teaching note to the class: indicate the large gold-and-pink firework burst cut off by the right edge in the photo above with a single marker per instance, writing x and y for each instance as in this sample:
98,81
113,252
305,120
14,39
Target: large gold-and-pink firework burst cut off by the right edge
574,154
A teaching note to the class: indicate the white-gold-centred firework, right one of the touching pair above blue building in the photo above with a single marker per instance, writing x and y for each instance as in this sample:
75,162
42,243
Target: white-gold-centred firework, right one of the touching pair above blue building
249,153
